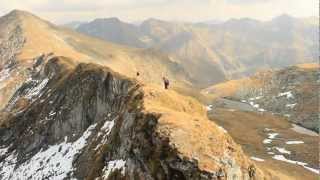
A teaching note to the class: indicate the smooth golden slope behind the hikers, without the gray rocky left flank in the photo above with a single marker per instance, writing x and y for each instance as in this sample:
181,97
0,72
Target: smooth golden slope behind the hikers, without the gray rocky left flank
43,37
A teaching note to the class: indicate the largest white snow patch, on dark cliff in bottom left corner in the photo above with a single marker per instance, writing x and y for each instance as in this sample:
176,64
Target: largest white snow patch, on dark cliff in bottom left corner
54,162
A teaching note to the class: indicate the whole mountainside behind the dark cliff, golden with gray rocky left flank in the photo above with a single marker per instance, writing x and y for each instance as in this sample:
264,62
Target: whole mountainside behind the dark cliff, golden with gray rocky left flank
25,37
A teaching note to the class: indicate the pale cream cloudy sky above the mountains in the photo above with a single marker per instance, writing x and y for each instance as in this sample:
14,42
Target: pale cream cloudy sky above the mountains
63,11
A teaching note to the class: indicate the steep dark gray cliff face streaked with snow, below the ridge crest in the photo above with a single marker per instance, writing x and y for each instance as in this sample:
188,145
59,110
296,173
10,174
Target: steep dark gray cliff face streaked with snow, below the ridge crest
86,122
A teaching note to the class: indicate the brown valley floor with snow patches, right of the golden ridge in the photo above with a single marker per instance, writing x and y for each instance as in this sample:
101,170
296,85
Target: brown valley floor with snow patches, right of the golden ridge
270,140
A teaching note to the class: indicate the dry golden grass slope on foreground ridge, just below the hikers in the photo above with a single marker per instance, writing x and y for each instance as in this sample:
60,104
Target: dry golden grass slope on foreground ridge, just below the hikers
184,121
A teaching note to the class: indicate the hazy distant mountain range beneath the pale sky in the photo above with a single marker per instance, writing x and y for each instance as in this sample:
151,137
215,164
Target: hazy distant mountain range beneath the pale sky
213,52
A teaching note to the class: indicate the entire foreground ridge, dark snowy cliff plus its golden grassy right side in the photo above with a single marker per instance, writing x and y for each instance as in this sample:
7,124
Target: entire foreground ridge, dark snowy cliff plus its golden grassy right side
84,121
